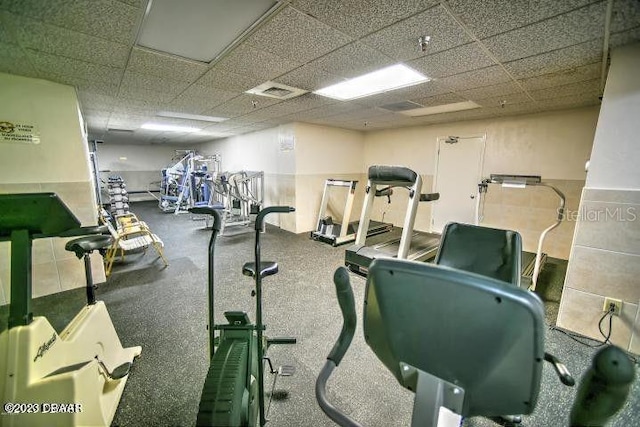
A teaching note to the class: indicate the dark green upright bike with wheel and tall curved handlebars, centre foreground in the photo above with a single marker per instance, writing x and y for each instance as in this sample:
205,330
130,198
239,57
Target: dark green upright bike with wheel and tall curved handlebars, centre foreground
233,392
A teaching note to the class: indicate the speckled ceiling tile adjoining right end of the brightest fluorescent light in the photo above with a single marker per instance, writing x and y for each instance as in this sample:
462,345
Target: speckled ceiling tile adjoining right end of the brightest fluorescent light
453,61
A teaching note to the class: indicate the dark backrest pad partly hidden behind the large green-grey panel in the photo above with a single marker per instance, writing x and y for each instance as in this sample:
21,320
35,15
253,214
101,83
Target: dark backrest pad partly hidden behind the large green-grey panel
488,251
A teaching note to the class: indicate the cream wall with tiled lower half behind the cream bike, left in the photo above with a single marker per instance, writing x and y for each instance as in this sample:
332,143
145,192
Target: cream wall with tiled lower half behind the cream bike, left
59,163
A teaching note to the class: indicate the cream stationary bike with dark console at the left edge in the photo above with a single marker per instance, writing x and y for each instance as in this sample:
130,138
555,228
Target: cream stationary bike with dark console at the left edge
74,378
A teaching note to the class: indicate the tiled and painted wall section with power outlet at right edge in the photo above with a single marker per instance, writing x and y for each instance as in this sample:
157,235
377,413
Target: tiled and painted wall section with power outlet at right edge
605,257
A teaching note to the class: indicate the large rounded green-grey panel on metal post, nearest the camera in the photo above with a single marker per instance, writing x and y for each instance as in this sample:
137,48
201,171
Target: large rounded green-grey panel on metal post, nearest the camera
471,330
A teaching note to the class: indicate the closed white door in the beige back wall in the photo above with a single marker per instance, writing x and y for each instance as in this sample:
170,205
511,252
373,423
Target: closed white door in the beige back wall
458,173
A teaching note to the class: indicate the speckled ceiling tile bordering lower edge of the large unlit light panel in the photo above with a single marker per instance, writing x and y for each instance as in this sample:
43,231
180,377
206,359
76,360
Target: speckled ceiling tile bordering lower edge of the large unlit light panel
145,61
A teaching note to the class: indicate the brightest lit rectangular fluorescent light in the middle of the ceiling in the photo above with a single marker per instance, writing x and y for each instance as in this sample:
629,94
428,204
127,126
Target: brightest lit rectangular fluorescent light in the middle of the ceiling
383,80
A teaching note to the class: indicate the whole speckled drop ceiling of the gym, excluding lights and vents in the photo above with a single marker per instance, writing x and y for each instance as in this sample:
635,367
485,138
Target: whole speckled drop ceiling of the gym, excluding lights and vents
549,51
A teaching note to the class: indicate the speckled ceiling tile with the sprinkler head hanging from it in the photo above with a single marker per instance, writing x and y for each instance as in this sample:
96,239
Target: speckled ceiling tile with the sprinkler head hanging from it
400,41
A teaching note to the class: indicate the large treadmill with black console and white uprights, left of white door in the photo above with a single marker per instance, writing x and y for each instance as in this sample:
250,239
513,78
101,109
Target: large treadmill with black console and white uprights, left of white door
404,243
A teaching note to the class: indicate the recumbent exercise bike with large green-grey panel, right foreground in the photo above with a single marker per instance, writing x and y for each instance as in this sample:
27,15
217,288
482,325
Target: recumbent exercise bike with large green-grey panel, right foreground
466,344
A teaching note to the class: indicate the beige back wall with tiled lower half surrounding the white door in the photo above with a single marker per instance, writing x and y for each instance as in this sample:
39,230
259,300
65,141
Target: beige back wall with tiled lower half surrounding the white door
554,145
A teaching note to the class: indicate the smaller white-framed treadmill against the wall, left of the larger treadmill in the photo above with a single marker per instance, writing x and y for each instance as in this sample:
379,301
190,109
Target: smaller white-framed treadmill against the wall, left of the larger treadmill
335,233
